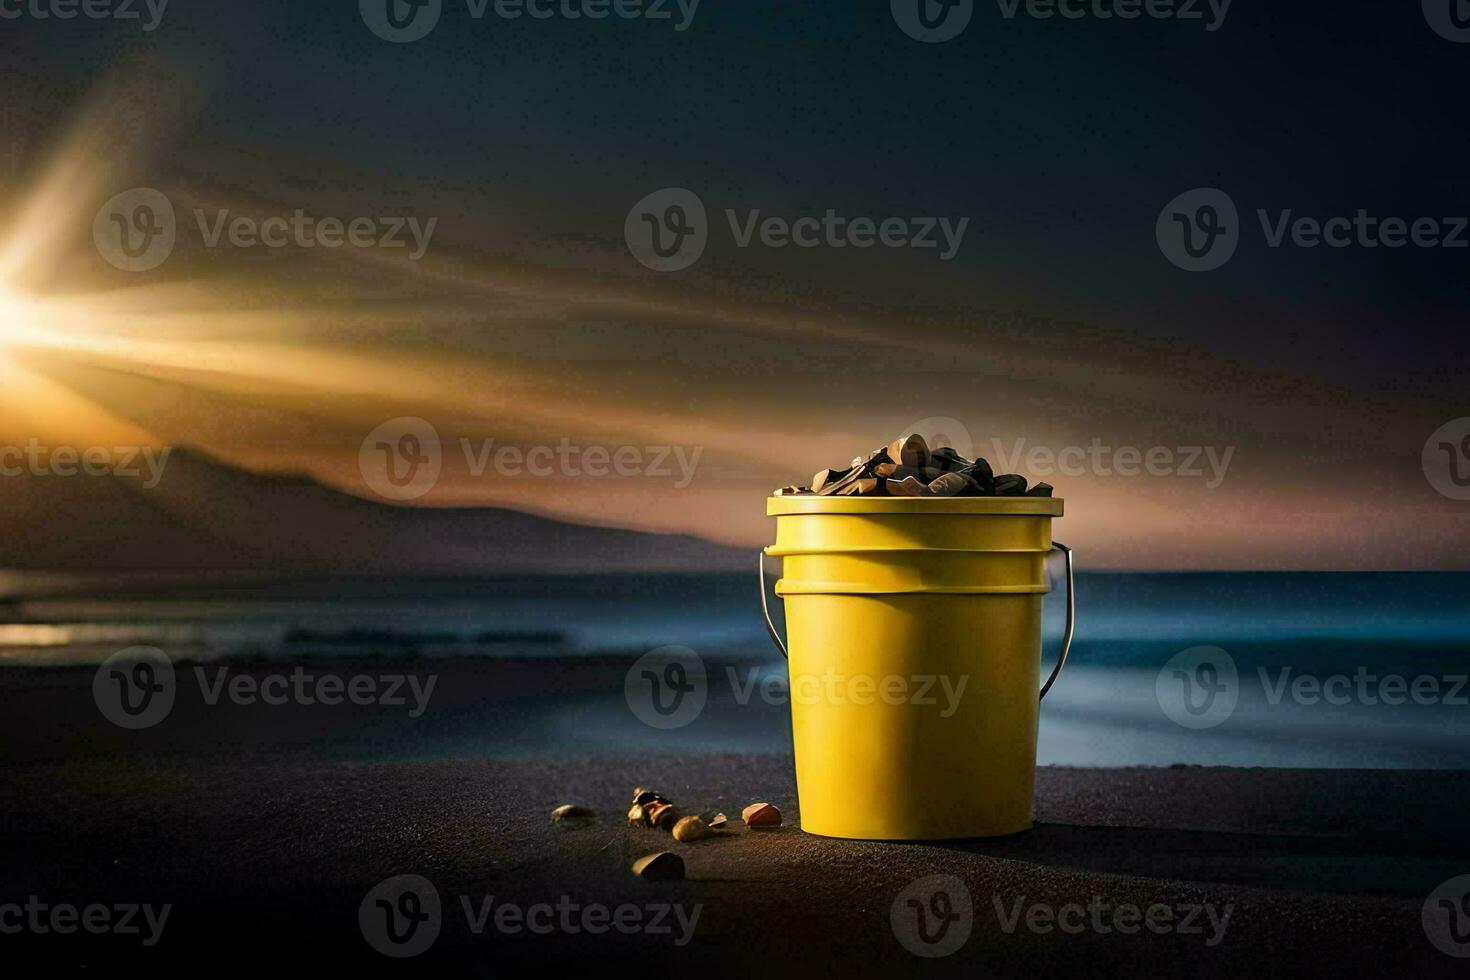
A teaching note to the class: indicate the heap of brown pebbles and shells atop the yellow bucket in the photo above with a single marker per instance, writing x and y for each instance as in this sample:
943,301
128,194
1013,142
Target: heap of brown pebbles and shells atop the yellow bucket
909,468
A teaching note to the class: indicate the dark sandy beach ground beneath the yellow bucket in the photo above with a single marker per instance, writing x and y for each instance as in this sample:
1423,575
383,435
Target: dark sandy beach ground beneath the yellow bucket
265,828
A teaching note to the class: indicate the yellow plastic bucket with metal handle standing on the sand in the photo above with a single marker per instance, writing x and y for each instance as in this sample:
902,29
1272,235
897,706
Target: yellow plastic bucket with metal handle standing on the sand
915,660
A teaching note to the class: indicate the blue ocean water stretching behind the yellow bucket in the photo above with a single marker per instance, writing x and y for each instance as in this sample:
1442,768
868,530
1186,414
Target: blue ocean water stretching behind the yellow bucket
1330,669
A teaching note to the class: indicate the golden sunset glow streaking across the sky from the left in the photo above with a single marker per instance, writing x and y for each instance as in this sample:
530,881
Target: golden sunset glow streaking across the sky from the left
284,361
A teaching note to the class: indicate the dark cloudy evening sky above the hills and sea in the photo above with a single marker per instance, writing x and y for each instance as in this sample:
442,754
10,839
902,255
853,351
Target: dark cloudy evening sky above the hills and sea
1059,140
